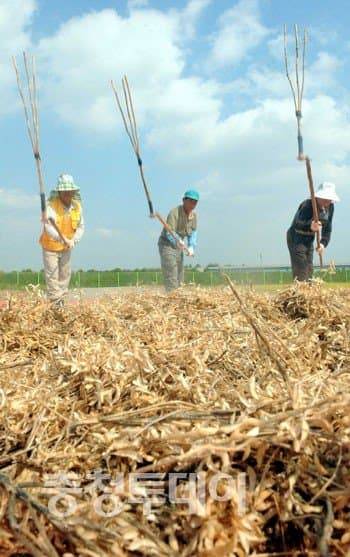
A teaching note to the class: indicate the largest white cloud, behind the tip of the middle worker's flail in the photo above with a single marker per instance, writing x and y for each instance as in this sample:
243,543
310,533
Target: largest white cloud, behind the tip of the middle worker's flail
87,51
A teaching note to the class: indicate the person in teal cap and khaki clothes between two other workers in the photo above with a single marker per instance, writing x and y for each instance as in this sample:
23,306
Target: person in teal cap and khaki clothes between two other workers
183,222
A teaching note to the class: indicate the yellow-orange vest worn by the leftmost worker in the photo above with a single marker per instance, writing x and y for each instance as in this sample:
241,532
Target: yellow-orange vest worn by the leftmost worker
67,222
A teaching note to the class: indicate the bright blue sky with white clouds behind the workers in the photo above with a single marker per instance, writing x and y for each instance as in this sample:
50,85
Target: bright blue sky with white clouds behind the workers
214,112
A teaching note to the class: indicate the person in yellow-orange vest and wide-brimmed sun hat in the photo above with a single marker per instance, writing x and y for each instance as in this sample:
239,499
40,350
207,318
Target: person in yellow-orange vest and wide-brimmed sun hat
63,229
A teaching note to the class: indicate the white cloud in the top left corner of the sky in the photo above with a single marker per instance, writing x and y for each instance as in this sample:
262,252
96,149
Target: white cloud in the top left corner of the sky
15,18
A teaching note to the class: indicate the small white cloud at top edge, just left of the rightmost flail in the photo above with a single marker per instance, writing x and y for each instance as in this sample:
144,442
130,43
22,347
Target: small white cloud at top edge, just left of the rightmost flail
240,31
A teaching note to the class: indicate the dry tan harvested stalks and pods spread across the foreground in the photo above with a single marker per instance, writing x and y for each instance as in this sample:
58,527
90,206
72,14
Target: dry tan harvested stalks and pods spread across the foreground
200,381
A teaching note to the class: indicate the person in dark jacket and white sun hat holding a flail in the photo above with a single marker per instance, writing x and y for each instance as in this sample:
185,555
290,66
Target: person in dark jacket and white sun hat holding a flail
301,234
